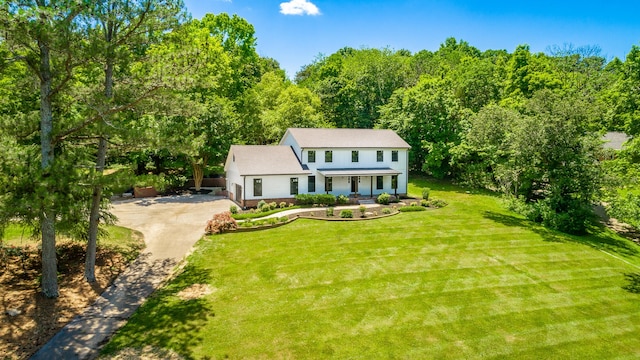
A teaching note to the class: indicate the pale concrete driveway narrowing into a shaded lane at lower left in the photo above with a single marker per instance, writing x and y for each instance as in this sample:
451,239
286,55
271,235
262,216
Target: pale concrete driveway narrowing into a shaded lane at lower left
171,226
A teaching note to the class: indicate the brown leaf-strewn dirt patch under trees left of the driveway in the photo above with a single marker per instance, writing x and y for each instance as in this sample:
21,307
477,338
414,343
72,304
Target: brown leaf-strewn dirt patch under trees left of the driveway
27,319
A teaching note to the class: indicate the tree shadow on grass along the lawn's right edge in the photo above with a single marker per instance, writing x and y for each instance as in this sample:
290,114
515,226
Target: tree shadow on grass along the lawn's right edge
598,237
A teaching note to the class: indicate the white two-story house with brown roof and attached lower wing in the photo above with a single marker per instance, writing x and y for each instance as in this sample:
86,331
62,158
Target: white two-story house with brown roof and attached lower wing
353,162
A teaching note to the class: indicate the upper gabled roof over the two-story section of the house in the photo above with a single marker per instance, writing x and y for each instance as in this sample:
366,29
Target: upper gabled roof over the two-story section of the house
346,138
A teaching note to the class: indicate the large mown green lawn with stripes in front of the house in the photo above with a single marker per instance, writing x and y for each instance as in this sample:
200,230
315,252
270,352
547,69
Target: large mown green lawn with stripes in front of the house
470,280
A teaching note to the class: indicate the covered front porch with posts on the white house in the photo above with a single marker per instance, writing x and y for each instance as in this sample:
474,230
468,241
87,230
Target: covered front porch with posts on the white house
360,182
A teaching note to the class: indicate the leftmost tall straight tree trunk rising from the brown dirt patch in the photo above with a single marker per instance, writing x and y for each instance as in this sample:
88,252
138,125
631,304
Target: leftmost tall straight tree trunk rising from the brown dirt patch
47,214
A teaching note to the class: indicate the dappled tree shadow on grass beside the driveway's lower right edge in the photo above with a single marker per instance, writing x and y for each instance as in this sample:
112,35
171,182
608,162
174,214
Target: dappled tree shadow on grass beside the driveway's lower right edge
166,321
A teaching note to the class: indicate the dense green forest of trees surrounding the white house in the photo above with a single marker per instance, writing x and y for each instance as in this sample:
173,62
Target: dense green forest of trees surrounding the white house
98,96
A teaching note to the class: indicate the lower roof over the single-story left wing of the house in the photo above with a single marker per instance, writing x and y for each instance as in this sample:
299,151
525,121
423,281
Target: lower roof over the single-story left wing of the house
265,160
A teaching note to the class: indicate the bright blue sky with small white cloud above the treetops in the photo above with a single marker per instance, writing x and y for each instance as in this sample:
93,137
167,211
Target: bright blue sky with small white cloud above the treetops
294,32
